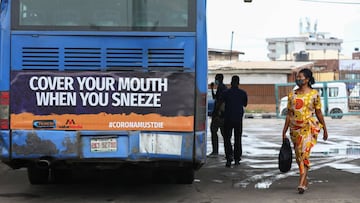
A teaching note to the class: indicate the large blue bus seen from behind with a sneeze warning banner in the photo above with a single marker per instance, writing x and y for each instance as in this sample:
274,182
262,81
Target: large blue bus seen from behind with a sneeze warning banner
113,83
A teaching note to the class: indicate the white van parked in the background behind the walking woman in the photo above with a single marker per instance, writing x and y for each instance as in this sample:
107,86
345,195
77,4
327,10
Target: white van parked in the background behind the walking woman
337,99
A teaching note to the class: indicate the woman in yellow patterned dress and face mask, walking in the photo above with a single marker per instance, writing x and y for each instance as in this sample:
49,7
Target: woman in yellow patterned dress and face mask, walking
303,103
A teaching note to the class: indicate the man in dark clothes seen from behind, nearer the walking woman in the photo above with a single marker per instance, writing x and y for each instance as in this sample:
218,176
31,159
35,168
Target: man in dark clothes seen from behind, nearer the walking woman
235,100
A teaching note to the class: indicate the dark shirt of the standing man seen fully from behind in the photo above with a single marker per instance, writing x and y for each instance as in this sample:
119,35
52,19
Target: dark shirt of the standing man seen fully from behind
235,100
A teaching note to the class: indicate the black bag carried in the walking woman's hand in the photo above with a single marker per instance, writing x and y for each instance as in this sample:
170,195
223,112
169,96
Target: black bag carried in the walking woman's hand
285,156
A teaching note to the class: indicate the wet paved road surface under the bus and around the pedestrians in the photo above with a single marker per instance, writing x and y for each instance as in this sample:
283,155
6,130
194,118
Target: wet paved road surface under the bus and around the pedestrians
334,177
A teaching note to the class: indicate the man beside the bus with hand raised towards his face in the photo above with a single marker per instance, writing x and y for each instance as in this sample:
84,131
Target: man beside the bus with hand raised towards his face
217,117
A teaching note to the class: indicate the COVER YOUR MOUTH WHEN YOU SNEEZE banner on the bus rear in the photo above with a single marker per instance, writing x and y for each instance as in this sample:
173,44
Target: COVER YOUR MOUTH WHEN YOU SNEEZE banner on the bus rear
158,101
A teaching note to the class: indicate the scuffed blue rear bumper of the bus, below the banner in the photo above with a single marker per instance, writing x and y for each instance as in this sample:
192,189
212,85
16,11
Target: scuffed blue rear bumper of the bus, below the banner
22,146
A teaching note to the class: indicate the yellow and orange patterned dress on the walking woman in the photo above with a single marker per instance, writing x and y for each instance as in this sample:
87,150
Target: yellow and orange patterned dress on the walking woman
304,127
